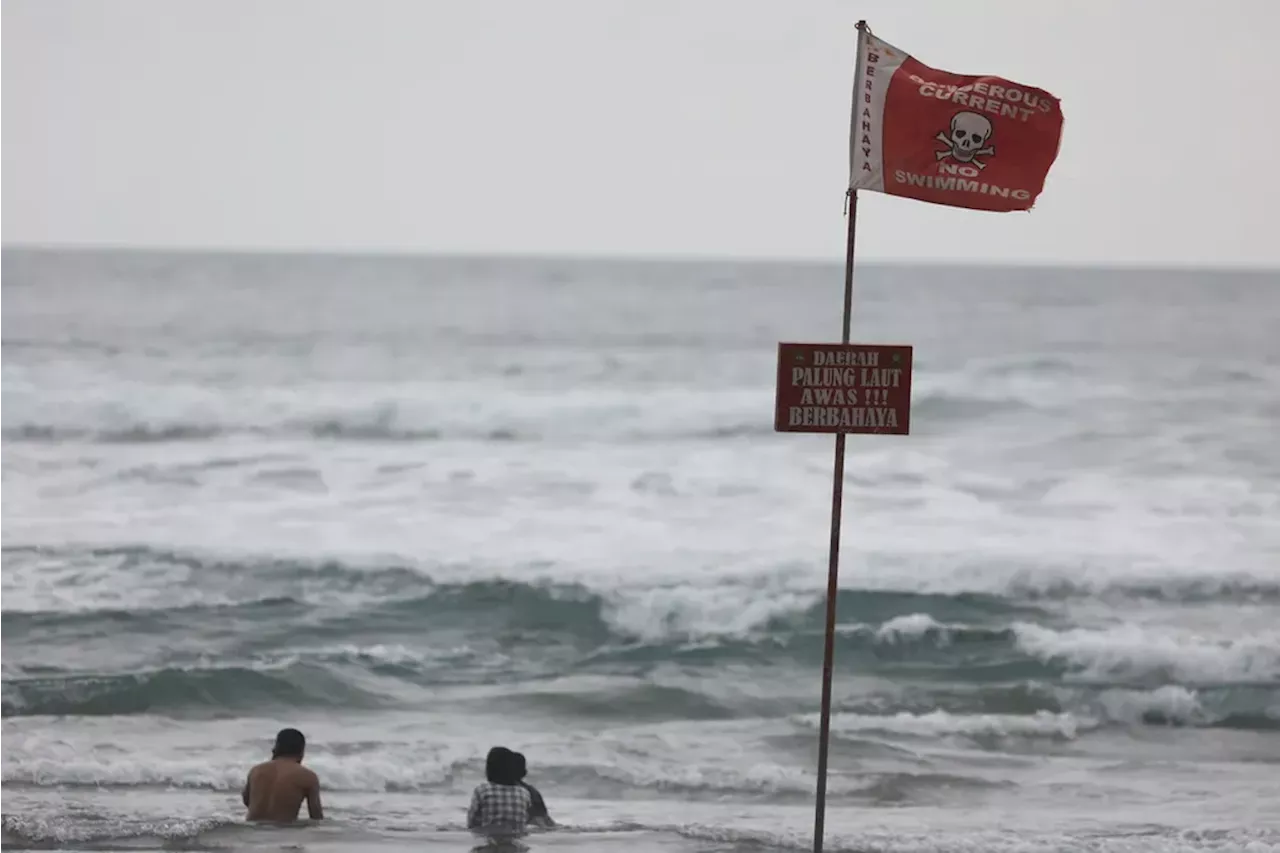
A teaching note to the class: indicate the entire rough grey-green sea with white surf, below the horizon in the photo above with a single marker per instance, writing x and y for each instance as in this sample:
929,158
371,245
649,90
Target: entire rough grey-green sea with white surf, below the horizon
419,508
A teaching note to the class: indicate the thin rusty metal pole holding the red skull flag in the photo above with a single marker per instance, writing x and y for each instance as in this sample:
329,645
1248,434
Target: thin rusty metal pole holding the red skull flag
838,496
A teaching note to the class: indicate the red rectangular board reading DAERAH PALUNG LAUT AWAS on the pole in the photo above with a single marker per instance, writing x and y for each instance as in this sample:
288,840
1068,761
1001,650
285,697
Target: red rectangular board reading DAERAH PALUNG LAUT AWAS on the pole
844,389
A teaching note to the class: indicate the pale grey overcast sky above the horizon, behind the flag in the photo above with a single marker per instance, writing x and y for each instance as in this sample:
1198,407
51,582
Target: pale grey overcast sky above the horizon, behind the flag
638,127
